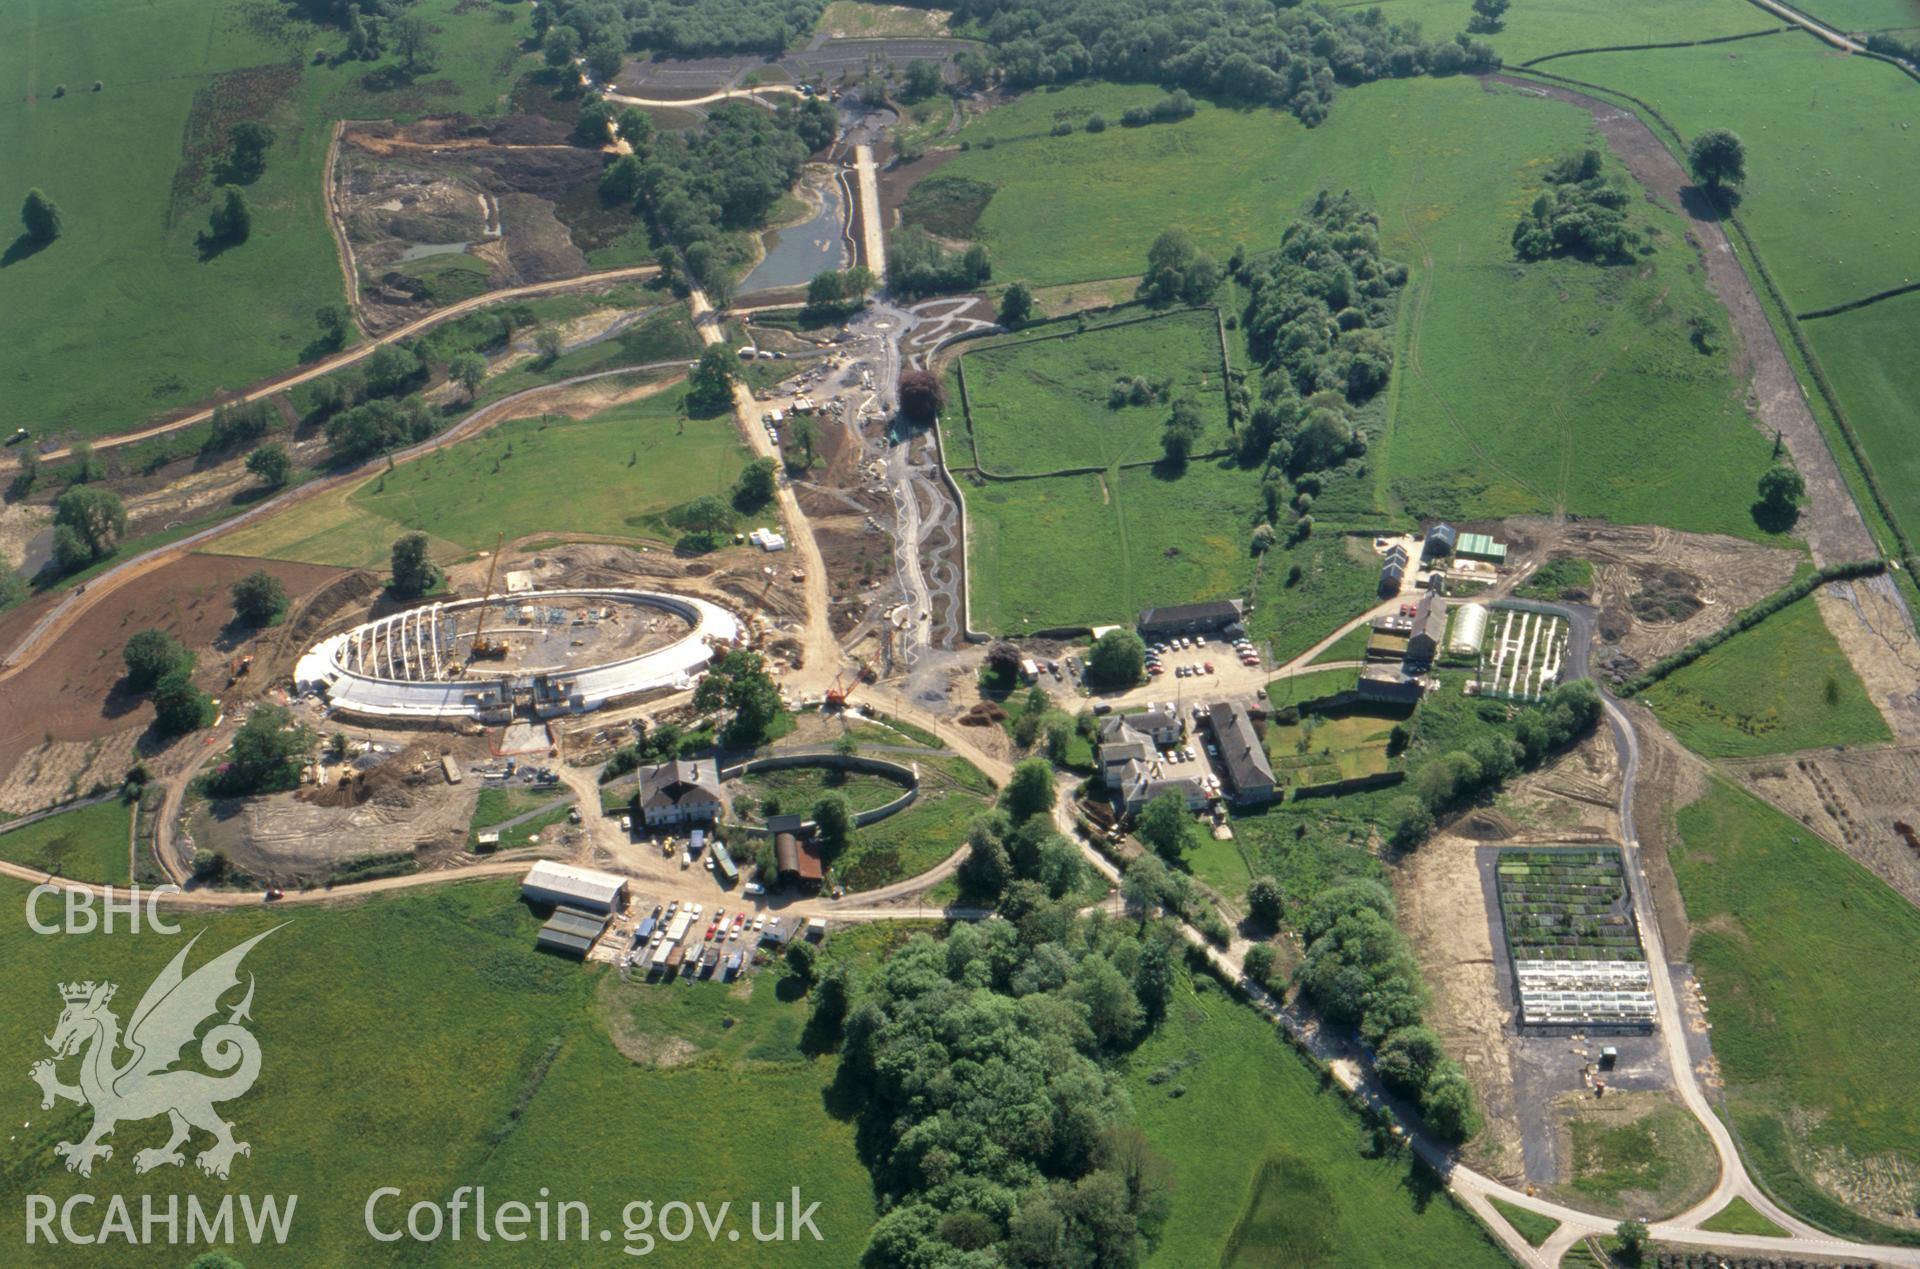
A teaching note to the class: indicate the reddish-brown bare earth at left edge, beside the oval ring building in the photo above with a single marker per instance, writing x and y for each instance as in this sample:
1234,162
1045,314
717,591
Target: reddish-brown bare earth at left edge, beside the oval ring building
70,723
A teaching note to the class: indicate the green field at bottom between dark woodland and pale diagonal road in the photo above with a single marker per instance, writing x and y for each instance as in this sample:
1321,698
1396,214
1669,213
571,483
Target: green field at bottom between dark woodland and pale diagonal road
1266,1161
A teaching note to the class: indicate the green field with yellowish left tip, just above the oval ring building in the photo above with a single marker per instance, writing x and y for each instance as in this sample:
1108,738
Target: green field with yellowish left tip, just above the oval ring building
527,477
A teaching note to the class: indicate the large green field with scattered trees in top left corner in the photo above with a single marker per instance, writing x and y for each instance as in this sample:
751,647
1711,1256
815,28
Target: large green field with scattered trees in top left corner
128,274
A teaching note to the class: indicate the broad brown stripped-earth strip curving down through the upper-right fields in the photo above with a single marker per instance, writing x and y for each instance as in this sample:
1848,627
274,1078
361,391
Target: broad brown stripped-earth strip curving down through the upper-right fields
1831,525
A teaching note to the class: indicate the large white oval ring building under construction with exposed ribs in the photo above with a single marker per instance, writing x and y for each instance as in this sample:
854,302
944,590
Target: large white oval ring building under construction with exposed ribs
420,663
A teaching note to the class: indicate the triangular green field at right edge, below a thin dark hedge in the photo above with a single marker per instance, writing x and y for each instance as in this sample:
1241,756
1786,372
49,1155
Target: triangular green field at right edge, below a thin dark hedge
1869,360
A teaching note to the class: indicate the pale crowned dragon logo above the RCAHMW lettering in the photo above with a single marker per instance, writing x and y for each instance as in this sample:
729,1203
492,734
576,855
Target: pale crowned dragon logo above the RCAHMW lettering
143,1086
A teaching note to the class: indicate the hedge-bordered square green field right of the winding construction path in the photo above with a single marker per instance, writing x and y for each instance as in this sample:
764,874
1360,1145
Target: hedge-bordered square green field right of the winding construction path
1042,404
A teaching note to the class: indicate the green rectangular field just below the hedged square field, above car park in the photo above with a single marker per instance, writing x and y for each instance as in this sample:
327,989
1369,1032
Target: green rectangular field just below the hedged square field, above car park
1097,550
